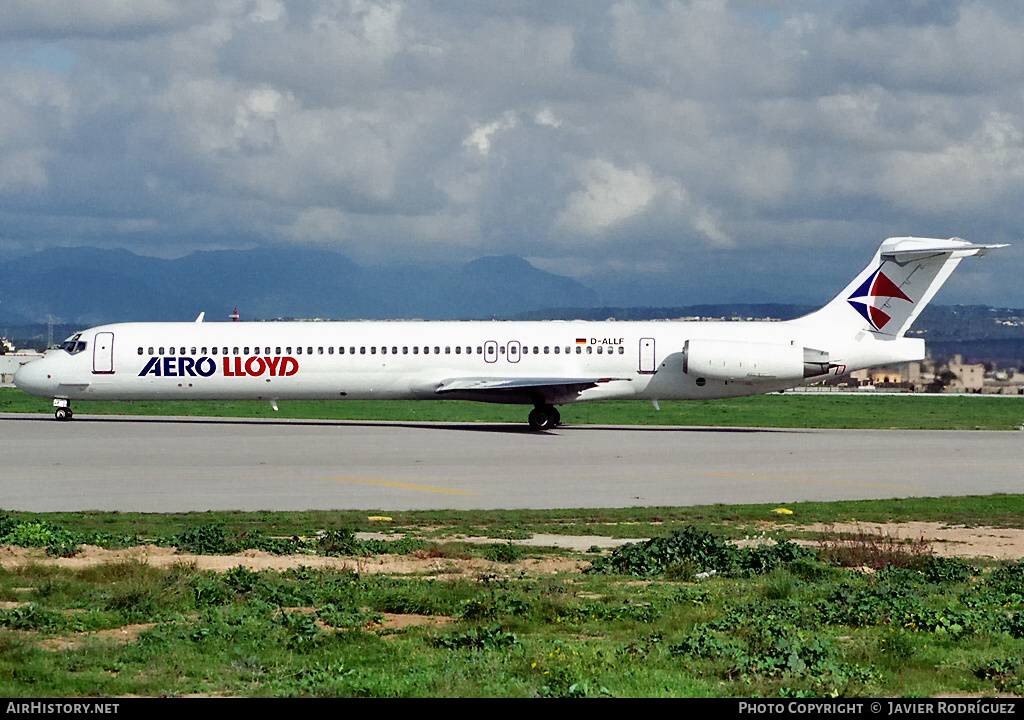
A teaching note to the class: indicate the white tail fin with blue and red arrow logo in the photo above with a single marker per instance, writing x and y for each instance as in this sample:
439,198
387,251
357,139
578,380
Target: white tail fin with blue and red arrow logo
891,292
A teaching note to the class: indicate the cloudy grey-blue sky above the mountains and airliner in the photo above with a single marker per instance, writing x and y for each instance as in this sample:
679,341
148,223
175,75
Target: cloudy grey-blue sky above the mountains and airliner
692,151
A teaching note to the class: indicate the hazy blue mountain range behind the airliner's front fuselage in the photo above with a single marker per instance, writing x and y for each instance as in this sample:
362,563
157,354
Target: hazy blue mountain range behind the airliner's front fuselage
88,286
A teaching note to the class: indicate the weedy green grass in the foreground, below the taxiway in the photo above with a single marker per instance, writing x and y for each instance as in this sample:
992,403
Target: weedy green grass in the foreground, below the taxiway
682,615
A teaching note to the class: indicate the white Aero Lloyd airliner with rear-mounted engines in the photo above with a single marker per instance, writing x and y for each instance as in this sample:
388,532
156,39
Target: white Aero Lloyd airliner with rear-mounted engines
543,364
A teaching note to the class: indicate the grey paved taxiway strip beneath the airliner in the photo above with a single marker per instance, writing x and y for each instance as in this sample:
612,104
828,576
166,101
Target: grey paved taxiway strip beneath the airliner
181,464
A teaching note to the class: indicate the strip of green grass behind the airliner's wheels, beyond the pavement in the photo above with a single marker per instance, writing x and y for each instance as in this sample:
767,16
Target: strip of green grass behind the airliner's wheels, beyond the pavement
825,411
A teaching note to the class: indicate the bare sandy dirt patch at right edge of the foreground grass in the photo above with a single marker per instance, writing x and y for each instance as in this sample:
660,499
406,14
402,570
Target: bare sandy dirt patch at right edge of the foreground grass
948,541
